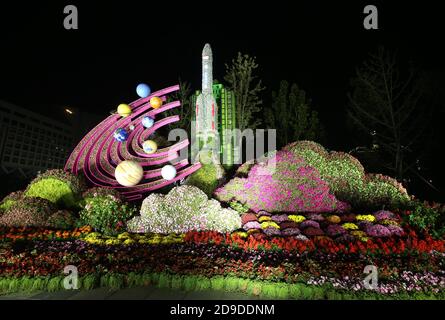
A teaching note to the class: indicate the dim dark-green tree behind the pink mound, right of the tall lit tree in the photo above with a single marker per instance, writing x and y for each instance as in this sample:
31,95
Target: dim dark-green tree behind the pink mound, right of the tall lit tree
292,115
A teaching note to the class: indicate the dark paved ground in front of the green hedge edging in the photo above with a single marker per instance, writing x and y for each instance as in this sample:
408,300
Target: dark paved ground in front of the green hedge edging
137,293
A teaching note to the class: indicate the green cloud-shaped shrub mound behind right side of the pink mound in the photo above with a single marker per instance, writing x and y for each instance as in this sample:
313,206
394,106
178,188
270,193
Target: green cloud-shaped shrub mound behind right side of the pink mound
347,178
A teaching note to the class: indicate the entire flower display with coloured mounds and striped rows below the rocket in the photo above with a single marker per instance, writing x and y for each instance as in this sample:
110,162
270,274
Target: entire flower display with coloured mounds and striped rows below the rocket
307,231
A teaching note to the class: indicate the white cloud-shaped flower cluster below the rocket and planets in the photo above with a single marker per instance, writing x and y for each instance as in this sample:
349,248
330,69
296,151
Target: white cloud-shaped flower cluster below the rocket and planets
183,209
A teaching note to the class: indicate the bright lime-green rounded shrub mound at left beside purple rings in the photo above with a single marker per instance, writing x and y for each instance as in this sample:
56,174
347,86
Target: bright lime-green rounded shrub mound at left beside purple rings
58,186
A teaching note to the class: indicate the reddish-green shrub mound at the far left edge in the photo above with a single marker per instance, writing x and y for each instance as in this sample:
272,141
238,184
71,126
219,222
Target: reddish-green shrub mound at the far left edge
28,212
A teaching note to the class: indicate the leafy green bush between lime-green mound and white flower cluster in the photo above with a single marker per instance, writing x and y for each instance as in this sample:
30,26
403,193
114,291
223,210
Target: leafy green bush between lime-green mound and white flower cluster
106,214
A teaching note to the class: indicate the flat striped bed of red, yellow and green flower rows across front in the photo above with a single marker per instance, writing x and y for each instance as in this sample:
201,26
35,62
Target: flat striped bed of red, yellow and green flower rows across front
272,267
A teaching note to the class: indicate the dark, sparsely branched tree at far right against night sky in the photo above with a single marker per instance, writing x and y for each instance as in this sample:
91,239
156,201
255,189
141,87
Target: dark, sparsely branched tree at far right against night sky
388,103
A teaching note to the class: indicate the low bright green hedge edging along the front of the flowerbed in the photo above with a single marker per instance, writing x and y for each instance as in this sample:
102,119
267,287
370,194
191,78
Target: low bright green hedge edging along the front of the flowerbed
263,289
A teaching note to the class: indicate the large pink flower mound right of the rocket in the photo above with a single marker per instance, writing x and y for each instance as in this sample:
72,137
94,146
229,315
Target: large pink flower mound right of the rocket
284,183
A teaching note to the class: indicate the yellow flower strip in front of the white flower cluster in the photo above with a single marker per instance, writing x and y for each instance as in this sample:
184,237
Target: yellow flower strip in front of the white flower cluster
132,238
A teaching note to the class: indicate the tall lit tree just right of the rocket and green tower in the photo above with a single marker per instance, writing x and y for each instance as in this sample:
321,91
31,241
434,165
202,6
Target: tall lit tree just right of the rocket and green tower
241,79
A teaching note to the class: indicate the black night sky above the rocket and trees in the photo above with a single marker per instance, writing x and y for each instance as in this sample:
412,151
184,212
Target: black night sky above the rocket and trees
316,44
